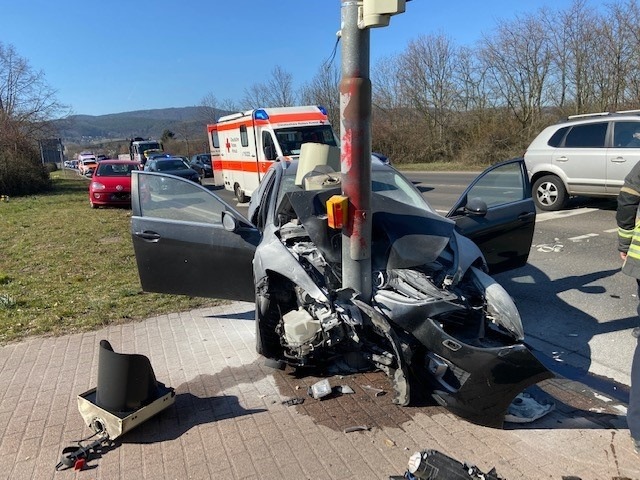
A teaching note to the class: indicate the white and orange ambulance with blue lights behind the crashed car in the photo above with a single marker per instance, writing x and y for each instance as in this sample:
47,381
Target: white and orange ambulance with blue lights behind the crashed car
245,144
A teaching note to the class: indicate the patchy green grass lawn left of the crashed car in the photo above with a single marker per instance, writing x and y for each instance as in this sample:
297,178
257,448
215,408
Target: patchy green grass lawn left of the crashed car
65,267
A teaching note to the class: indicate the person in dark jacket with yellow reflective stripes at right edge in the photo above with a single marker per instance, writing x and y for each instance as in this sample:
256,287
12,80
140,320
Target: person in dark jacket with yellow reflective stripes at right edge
628,220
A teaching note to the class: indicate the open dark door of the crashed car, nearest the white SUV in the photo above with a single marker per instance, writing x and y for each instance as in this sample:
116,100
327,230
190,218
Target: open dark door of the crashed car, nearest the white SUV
497,212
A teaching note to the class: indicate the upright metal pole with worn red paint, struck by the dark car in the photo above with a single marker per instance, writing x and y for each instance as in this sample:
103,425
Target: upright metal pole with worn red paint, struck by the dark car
355,155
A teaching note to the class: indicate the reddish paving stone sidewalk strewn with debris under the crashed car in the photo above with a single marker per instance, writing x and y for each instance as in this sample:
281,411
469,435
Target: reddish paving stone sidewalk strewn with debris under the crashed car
229,422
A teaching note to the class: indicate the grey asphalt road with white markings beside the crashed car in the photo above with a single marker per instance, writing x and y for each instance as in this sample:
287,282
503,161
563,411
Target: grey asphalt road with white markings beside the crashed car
577,308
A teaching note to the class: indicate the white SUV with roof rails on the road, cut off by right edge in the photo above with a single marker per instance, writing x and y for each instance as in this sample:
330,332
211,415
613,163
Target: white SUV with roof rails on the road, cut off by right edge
586,155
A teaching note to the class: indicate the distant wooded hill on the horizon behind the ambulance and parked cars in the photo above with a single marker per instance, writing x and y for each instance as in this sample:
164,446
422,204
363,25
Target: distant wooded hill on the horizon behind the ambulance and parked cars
88,129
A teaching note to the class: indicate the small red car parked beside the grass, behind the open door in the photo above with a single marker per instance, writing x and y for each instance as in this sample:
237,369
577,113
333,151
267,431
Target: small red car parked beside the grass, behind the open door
111,183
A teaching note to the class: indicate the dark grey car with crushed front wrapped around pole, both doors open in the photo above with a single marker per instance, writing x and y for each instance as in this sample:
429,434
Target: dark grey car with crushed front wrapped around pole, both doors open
436,321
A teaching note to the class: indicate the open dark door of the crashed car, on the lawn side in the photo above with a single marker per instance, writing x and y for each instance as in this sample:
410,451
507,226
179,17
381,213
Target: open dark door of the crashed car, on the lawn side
188,241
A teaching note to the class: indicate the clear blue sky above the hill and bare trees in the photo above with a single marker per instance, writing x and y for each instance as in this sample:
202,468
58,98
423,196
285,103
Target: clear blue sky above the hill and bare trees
118,56
